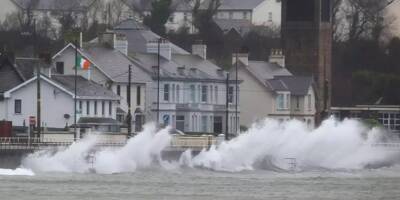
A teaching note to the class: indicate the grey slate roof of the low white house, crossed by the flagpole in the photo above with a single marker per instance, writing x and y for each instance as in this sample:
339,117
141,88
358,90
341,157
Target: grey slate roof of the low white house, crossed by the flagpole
85,88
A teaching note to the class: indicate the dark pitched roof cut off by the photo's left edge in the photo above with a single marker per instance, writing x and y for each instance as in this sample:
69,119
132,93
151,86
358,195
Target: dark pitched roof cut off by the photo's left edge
10,77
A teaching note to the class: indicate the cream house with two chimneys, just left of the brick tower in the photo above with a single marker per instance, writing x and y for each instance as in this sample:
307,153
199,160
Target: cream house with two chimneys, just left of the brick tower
269,90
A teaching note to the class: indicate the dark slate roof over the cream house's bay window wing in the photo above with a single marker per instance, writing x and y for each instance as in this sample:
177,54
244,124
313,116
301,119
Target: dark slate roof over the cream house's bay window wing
296,85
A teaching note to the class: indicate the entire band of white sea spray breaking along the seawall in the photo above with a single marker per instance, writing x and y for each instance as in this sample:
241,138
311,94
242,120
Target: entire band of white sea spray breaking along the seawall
266,145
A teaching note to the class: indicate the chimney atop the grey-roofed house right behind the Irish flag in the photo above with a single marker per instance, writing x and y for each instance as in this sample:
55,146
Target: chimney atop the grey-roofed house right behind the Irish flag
115,40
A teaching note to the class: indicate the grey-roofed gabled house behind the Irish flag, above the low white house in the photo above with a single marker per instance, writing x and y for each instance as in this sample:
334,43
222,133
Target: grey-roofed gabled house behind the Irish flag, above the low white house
109,68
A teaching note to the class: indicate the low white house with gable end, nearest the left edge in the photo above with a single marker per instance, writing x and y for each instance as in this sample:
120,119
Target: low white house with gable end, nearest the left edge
96,106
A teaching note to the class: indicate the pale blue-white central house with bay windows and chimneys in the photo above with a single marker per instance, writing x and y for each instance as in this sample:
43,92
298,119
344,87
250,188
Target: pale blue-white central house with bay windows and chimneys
191,93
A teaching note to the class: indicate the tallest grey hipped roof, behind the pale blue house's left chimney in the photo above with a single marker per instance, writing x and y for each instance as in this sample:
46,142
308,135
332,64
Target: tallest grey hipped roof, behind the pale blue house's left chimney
139,35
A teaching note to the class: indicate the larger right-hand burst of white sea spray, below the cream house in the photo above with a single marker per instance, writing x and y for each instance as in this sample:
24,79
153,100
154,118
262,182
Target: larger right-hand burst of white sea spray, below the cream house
269,144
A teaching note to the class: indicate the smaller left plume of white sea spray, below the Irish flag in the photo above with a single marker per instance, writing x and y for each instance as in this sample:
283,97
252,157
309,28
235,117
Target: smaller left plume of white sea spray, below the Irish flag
140,152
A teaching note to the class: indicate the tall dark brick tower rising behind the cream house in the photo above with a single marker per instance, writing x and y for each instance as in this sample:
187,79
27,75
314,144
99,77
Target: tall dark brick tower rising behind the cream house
307,43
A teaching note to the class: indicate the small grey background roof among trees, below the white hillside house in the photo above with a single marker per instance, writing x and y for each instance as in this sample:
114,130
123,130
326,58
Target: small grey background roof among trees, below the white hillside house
239,25
